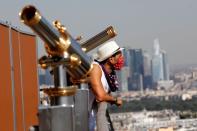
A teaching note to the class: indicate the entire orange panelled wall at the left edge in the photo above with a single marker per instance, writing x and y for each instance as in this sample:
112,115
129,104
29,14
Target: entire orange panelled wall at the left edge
19,89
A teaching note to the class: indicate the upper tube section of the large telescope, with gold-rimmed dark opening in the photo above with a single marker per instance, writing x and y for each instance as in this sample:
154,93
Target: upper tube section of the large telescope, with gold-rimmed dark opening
32,18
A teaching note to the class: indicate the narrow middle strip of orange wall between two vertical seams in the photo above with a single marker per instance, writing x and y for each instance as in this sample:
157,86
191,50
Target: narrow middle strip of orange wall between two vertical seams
17,80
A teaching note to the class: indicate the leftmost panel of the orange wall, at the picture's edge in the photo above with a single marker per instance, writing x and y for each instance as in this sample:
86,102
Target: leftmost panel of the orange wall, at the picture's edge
6,98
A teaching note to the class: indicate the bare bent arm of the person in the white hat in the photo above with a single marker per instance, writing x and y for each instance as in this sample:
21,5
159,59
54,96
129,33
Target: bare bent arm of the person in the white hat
97,87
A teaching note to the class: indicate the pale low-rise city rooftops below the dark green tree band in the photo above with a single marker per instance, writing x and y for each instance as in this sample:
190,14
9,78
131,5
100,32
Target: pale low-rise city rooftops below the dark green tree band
165,120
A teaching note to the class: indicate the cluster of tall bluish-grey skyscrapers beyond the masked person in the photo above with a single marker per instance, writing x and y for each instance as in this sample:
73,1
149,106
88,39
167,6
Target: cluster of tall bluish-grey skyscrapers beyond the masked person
143,70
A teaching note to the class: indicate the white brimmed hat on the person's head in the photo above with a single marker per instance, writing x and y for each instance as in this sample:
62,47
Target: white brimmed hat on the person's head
107,50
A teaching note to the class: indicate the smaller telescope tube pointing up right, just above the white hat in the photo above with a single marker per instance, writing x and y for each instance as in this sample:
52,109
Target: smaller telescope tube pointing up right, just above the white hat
99,39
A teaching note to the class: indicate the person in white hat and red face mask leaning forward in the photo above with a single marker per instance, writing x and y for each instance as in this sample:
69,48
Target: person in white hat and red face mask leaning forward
103,81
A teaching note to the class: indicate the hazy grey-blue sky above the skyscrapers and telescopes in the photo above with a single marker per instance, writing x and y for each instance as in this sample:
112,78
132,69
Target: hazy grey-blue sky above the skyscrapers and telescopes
137,22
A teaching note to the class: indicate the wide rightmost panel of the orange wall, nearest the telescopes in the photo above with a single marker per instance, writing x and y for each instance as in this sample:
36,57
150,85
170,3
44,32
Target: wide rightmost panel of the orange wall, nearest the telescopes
29,78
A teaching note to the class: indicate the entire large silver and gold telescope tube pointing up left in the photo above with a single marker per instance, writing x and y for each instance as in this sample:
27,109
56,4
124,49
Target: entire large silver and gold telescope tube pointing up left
58,41
